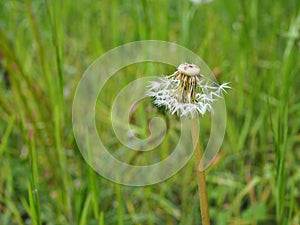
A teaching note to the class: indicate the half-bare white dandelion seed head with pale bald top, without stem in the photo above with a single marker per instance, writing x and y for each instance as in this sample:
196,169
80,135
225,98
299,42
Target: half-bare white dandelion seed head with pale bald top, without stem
185,92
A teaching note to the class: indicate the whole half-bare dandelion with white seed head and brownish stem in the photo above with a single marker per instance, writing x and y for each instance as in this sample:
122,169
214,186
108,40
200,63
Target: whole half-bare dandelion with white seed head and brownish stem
188,94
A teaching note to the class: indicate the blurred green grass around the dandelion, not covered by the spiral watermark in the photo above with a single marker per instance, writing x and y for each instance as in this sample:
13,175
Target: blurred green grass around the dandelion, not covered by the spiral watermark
47,45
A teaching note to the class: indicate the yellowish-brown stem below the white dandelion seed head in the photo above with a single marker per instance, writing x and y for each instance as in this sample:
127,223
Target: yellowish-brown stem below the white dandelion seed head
204,206
